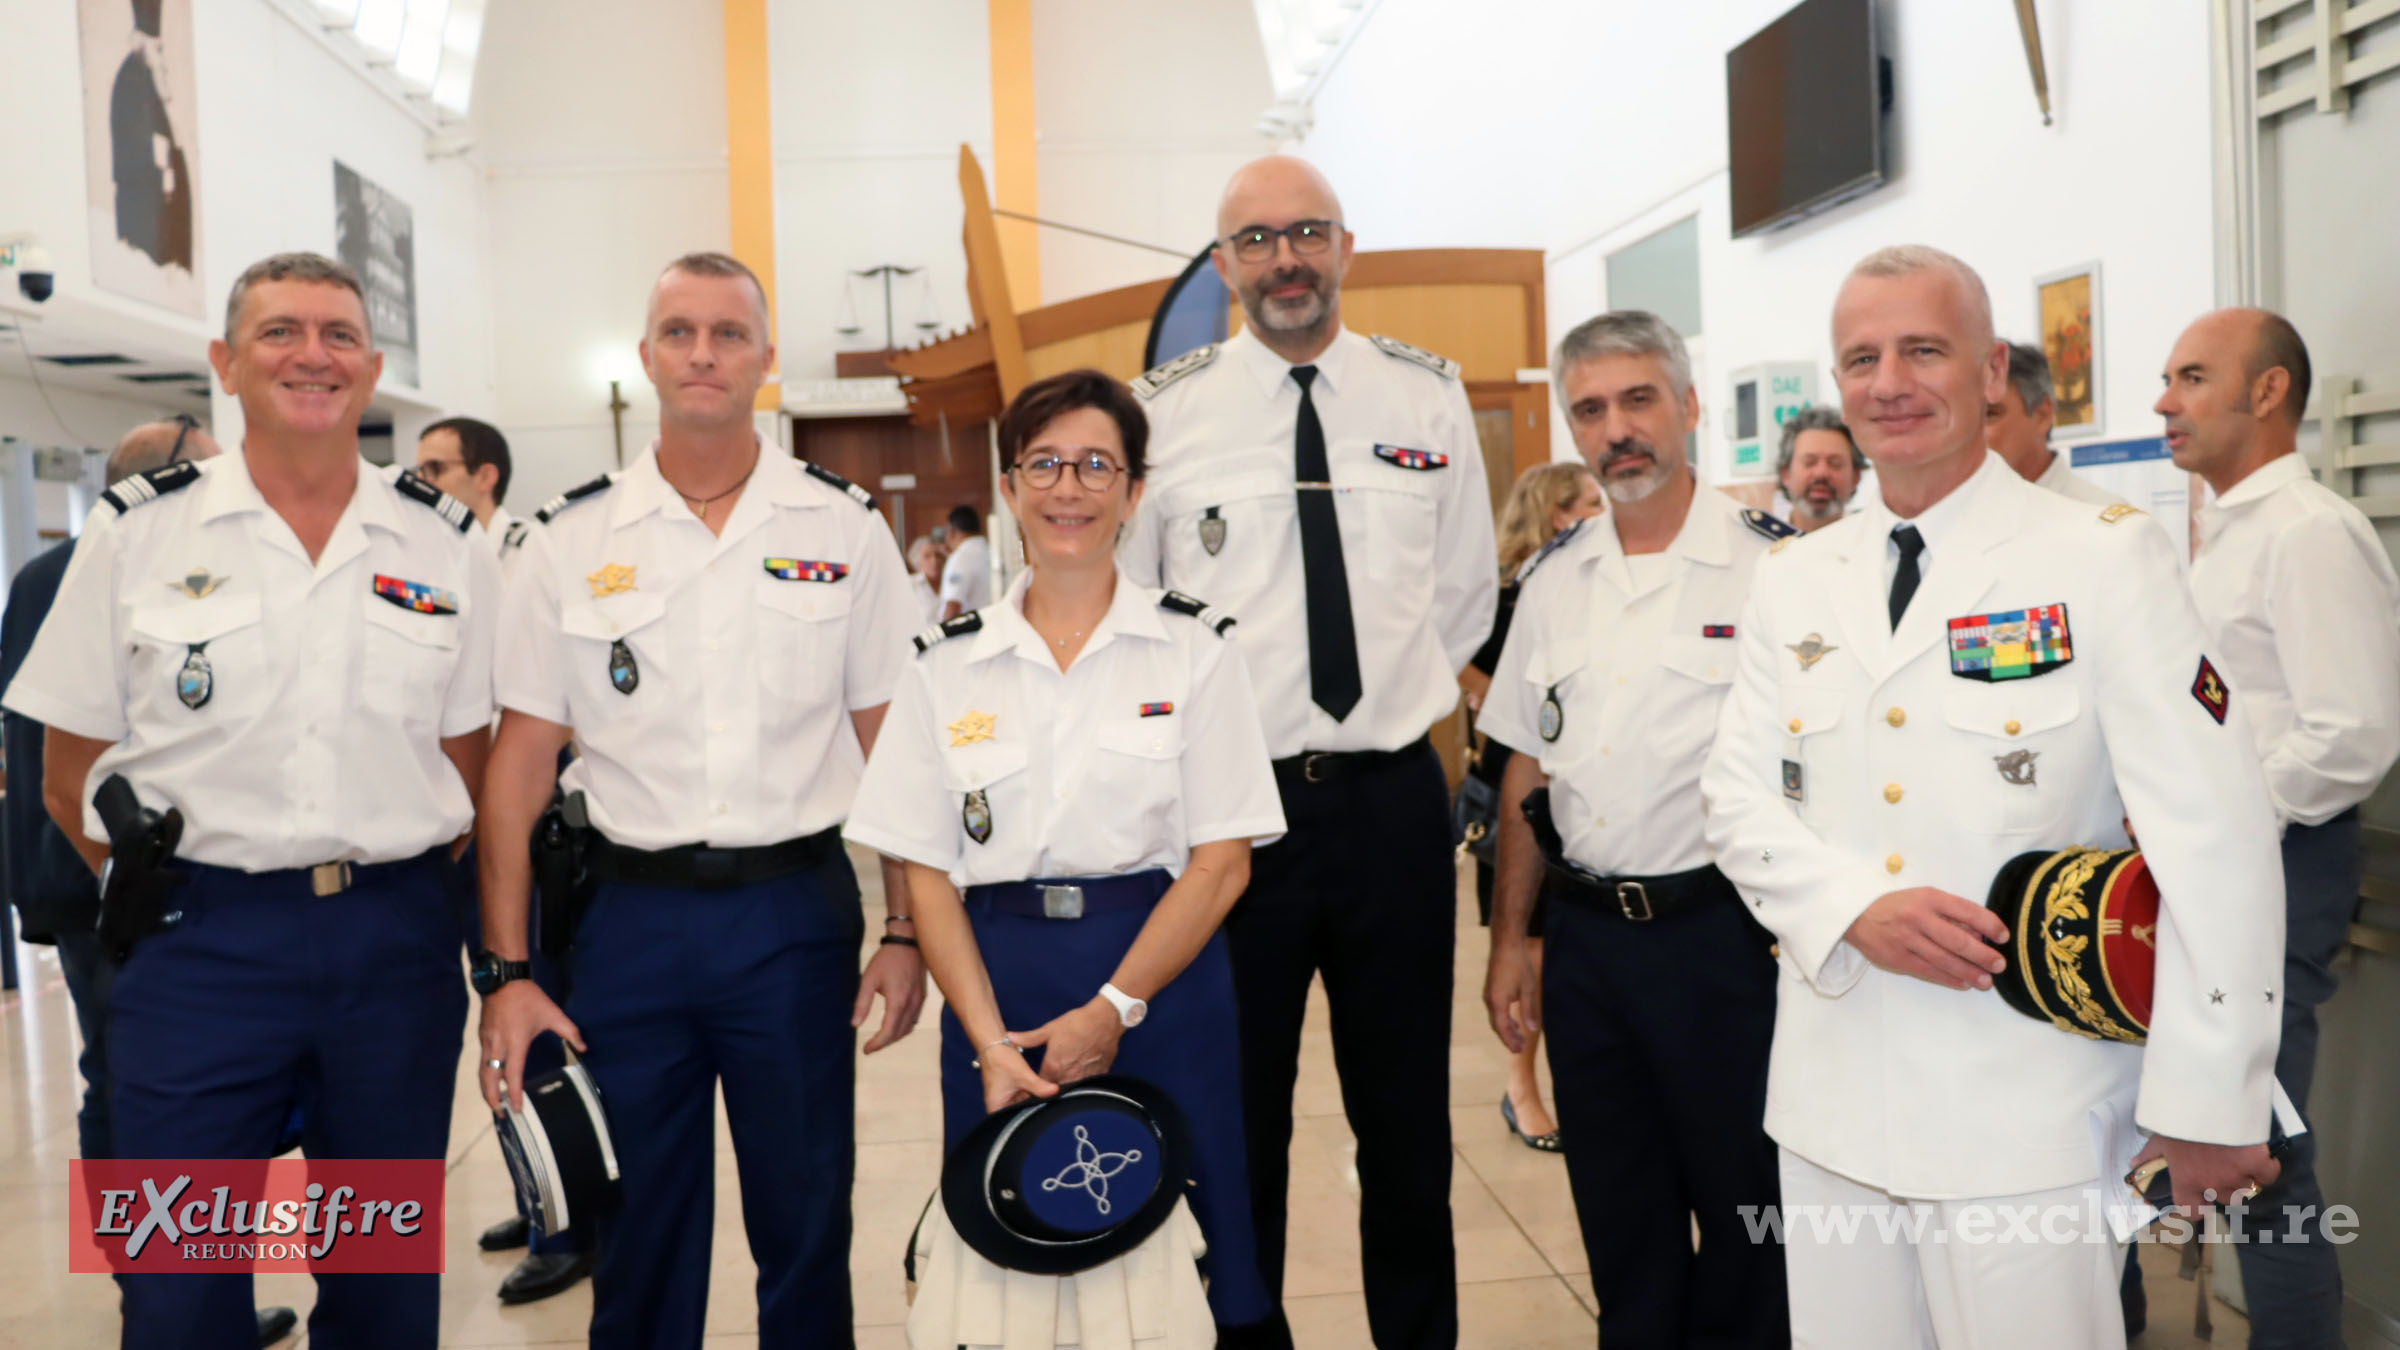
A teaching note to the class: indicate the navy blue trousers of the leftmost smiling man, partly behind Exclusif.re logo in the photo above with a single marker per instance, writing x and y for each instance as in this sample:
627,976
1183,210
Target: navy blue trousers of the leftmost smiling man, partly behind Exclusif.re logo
263,998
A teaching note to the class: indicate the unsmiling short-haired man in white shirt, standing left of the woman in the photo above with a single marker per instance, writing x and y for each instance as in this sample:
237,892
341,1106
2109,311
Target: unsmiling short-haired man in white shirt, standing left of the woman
719,628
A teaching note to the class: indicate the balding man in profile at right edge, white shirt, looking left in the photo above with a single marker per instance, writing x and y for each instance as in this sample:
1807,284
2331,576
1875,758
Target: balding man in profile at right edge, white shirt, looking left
2303,604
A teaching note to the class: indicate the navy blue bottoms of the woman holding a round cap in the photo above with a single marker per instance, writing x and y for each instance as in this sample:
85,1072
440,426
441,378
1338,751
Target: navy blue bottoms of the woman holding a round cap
1189,1049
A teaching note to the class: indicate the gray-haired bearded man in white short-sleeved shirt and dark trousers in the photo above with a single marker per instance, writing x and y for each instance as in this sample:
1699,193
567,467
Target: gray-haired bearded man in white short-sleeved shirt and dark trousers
1657,986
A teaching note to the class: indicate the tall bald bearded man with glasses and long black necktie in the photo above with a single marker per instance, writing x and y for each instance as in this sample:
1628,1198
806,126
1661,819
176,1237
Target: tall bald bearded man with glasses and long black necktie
1328,491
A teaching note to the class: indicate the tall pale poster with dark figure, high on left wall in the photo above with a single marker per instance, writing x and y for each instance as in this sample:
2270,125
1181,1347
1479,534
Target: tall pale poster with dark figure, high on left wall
143,150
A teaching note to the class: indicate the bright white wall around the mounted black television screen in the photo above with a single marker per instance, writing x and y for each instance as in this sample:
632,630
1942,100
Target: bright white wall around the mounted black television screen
1583,126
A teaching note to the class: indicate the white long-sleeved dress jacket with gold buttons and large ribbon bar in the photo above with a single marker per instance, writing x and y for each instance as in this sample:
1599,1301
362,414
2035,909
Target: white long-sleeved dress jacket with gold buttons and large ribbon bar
1854,763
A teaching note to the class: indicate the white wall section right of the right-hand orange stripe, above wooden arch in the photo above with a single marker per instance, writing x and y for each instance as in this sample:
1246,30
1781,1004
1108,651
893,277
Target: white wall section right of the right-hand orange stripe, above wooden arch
1144,112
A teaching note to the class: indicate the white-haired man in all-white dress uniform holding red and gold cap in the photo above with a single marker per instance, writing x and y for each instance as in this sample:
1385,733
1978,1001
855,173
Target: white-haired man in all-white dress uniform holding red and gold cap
1883,760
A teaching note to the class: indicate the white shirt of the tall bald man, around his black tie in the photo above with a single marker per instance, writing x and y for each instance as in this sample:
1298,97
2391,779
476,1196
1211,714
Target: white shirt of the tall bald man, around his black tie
1410,496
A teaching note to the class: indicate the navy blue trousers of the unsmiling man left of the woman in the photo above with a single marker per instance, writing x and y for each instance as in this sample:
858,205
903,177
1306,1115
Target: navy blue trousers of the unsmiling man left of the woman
678,991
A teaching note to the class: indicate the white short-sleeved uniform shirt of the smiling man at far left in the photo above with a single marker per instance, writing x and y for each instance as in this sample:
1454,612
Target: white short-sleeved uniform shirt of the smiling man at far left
328,703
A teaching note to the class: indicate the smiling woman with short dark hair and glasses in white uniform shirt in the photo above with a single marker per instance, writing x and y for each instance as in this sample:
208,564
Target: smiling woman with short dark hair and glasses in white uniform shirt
1074,777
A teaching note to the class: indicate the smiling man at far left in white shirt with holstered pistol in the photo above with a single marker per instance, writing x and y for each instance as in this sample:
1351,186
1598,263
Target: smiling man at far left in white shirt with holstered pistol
296,655
